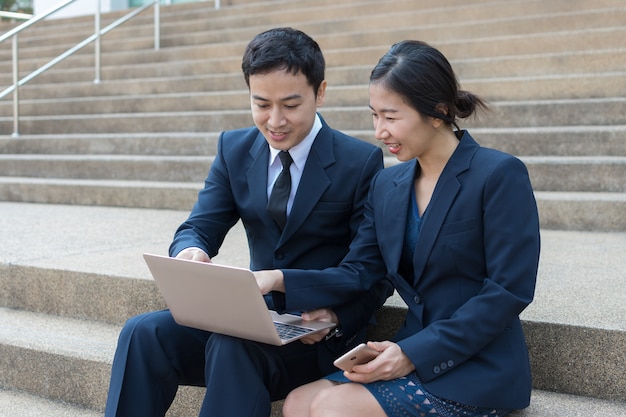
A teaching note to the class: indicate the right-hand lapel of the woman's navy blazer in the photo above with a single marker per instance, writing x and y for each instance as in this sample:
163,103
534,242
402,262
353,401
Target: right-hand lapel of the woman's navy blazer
444,194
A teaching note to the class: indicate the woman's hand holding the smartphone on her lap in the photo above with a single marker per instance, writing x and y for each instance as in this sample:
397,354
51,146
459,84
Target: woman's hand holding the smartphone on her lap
392,363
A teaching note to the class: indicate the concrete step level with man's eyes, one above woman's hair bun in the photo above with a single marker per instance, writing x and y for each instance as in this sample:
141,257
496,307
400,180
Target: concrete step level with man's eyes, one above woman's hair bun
607,86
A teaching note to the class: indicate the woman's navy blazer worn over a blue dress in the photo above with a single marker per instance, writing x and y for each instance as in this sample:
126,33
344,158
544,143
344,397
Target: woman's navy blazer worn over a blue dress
474,271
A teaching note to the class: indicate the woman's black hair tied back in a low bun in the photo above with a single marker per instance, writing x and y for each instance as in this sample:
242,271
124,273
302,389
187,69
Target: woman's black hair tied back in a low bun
424,77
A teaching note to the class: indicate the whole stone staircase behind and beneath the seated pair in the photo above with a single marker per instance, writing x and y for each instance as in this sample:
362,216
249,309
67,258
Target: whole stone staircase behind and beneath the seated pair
116,167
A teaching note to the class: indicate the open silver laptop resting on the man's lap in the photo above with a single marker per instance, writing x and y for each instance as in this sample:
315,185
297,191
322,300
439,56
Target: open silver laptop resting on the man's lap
224,299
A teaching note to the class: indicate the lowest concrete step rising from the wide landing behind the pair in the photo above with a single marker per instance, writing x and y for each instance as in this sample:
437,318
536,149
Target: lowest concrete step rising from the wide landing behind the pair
594,211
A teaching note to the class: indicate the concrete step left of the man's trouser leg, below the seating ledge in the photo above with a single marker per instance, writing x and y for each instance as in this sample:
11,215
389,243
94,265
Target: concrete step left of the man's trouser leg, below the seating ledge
57,358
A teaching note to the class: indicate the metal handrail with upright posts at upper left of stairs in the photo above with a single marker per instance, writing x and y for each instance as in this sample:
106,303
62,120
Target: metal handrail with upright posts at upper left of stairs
95,37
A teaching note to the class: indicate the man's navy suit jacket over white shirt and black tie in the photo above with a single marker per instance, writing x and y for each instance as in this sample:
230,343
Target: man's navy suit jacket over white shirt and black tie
326,213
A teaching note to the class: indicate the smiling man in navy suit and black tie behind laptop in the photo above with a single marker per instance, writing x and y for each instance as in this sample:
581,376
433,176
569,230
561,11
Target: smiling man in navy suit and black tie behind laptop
330,174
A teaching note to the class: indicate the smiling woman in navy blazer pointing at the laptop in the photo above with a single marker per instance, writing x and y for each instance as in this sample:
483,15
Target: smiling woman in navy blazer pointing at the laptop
455,229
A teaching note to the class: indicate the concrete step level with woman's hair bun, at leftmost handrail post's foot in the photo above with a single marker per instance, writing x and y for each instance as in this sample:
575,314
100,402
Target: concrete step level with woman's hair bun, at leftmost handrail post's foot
531,113
